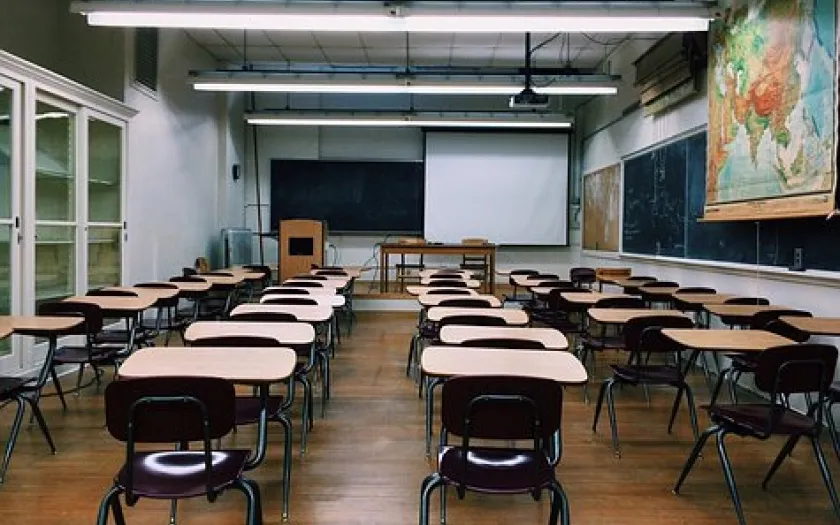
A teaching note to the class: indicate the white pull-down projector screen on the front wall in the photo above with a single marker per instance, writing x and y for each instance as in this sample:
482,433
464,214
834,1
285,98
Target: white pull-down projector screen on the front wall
510,188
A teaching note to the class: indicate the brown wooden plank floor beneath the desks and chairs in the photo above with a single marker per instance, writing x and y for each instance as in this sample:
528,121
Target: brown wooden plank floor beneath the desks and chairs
365,461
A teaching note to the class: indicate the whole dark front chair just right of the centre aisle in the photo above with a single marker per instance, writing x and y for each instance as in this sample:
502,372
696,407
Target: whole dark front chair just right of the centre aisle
498,408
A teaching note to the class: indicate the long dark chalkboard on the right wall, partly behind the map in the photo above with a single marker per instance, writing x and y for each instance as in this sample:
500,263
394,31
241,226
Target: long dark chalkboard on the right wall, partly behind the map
664,193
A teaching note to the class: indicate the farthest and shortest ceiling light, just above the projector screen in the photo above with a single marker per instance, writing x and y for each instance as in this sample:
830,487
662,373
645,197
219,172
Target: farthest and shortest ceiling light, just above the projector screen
438,120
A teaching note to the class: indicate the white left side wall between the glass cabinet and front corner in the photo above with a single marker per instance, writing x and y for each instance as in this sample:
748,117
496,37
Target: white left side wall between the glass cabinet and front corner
174,167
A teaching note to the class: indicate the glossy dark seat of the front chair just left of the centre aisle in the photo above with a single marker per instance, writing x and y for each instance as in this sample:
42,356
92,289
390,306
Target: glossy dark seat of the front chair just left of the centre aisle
179,474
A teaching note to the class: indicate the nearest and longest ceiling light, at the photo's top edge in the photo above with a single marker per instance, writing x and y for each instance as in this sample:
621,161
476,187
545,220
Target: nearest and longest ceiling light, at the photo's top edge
657,17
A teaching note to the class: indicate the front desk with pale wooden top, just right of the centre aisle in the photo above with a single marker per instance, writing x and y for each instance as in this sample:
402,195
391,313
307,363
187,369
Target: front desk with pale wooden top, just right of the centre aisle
441,362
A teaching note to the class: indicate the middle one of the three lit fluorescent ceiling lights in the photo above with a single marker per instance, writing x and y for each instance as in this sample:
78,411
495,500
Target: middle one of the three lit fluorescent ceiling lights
414,88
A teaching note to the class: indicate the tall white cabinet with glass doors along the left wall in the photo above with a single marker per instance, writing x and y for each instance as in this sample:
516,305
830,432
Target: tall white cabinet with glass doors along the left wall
62,181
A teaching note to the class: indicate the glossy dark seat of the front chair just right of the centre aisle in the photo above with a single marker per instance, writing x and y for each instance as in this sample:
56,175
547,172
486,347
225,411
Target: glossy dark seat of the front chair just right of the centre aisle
494,470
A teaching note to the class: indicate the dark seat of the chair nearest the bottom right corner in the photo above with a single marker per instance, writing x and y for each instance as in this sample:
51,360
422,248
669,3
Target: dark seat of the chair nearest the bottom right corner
750,419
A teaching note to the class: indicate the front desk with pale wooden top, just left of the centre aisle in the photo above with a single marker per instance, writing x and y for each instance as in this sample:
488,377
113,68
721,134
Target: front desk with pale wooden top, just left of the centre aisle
260,367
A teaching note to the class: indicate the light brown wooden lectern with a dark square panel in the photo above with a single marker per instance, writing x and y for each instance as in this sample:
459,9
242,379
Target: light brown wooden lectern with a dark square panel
301,246
